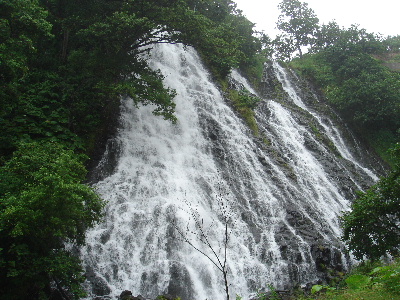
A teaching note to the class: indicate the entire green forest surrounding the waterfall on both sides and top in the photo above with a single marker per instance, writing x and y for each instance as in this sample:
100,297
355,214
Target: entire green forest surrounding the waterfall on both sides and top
65,67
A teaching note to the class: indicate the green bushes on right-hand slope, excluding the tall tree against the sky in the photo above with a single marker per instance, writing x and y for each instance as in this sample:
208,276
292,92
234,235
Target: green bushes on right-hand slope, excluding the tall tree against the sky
363,91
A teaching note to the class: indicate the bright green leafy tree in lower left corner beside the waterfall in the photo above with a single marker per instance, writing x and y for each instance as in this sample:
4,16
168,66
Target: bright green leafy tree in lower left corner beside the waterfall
43,205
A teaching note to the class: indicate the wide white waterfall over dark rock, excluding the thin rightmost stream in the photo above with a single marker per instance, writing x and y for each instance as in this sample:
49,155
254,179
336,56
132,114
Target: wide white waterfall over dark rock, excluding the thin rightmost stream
281,192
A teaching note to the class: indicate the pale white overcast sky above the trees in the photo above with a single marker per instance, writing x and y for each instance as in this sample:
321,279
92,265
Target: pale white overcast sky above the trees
378,16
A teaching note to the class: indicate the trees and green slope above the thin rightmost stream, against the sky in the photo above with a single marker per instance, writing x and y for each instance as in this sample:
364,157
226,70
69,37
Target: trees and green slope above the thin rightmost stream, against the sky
344,63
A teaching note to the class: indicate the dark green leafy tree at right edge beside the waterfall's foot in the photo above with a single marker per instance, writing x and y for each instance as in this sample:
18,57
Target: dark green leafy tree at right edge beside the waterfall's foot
371,229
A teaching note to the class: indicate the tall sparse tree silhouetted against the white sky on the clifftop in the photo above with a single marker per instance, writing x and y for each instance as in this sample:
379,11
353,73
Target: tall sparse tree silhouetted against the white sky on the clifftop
299,23
